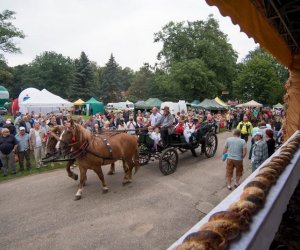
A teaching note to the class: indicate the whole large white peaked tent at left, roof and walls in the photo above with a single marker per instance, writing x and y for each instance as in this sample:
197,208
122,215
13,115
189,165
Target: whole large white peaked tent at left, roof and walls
45,102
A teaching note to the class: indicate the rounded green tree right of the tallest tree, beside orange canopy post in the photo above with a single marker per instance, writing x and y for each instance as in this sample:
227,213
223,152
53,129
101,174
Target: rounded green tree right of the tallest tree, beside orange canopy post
260,78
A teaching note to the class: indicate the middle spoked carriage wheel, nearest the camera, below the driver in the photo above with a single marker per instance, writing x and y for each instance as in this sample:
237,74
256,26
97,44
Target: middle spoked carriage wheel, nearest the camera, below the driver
168,161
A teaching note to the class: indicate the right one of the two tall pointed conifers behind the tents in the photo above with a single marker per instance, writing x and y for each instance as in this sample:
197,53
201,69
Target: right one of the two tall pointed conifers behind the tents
111,82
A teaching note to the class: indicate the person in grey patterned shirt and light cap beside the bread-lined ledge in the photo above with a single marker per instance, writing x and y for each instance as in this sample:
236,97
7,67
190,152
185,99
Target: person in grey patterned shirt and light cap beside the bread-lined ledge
259,151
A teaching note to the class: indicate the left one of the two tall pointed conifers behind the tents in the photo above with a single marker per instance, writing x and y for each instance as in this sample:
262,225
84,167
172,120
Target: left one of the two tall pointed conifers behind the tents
82,87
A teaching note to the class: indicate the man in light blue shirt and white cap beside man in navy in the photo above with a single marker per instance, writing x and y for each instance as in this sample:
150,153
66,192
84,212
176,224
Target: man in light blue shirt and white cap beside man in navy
23,148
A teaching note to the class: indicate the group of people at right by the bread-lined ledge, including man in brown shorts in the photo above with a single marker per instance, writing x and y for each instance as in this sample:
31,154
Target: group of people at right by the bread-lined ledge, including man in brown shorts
264,128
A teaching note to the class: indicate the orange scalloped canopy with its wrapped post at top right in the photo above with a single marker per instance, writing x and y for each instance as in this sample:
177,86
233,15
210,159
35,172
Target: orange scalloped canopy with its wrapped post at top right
278,33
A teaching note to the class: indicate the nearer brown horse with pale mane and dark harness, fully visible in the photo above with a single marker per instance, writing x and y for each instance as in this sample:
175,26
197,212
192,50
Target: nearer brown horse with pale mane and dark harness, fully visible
93,152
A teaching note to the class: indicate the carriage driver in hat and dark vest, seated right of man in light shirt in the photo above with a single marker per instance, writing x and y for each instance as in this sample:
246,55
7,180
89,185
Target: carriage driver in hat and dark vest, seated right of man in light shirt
166,125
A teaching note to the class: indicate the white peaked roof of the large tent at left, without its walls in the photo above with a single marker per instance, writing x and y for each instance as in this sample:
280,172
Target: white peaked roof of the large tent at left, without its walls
45,98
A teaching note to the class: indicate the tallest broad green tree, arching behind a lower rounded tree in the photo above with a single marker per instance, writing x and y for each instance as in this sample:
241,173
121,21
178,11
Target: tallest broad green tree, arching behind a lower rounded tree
199,40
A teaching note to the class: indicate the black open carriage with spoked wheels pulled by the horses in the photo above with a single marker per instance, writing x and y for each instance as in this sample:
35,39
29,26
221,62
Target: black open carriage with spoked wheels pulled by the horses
167,155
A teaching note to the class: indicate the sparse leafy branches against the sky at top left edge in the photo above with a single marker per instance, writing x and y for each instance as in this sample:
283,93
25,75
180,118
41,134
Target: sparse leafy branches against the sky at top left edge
8,32
